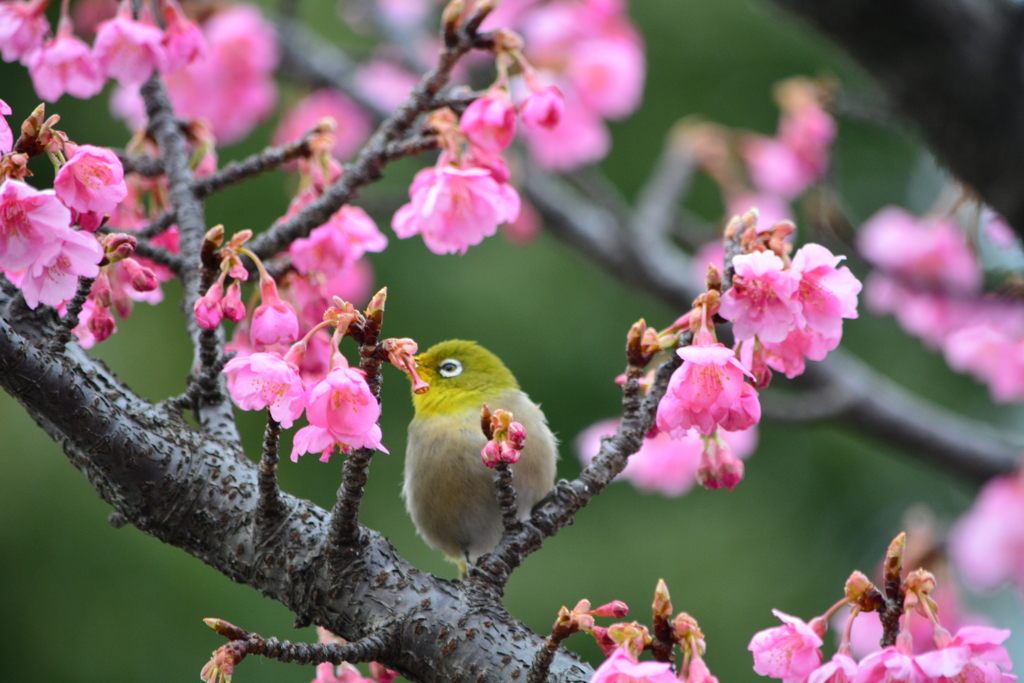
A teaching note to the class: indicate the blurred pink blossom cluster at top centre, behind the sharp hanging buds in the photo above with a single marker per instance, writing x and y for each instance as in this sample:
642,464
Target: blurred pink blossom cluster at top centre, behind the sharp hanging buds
593,55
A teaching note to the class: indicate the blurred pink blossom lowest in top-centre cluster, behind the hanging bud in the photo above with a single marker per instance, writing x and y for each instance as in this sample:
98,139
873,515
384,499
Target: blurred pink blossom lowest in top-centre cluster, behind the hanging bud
581,138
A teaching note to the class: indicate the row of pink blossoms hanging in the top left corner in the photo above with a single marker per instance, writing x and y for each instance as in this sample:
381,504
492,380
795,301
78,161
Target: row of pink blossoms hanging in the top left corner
126,50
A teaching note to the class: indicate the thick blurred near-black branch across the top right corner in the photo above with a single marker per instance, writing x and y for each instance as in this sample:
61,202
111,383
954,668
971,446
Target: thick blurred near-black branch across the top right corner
952,67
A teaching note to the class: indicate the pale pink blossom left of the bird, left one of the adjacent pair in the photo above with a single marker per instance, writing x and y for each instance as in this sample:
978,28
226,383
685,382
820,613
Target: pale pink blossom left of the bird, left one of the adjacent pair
266,380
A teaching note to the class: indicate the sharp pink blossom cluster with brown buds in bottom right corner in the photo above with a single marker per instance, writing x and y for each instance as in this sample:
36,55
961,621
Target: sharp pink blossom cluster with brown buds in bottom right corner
792,653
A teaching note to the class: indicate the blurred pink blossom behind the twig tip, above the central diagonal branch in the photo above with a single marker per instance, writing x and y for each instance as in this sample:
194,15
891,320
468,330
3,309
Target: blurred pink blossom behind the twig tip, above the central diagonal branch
353,125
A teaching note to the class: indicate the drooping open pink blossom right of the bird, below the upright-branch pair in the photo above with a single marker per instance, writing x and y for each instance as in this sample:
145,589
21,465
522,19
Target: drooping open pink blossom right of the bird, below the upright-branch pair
708,392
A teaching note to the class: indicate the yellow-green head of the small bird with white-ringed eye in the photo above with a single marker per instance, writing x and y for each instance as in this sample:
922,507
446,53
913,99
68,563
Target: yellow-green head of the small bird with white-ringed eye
462,375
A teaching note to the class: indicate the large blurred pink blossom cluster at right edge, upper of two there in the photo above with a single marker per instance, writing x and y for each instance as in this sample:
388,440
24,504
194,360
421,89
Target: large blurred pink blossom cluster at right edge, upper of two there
931,280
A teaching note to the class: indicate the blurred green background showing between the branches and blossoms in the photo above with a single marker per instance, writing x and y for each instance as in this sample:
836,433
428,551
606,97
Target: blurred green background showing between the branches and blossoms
81,602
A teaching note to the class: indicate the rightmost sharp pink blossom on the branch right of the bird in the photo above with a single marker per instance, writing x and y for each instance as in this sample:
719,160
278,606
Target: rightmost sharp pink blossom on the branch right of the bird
827,294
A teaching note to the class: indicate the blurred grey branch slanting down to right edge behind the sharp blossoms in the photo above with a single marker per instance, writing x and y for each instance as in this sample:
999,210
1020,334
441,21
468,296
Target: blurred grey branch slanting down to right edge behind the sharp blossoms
872,403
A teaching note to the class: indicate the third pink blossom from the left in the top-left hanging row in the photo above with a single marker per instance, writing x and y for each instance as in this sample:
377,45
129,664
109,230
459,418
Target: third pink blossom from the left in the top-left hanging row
129,51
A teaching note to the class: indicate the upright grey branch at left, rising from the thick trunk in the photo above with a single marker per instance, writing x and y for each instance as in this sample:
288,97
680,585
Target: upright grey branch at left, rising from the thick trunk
215,411
